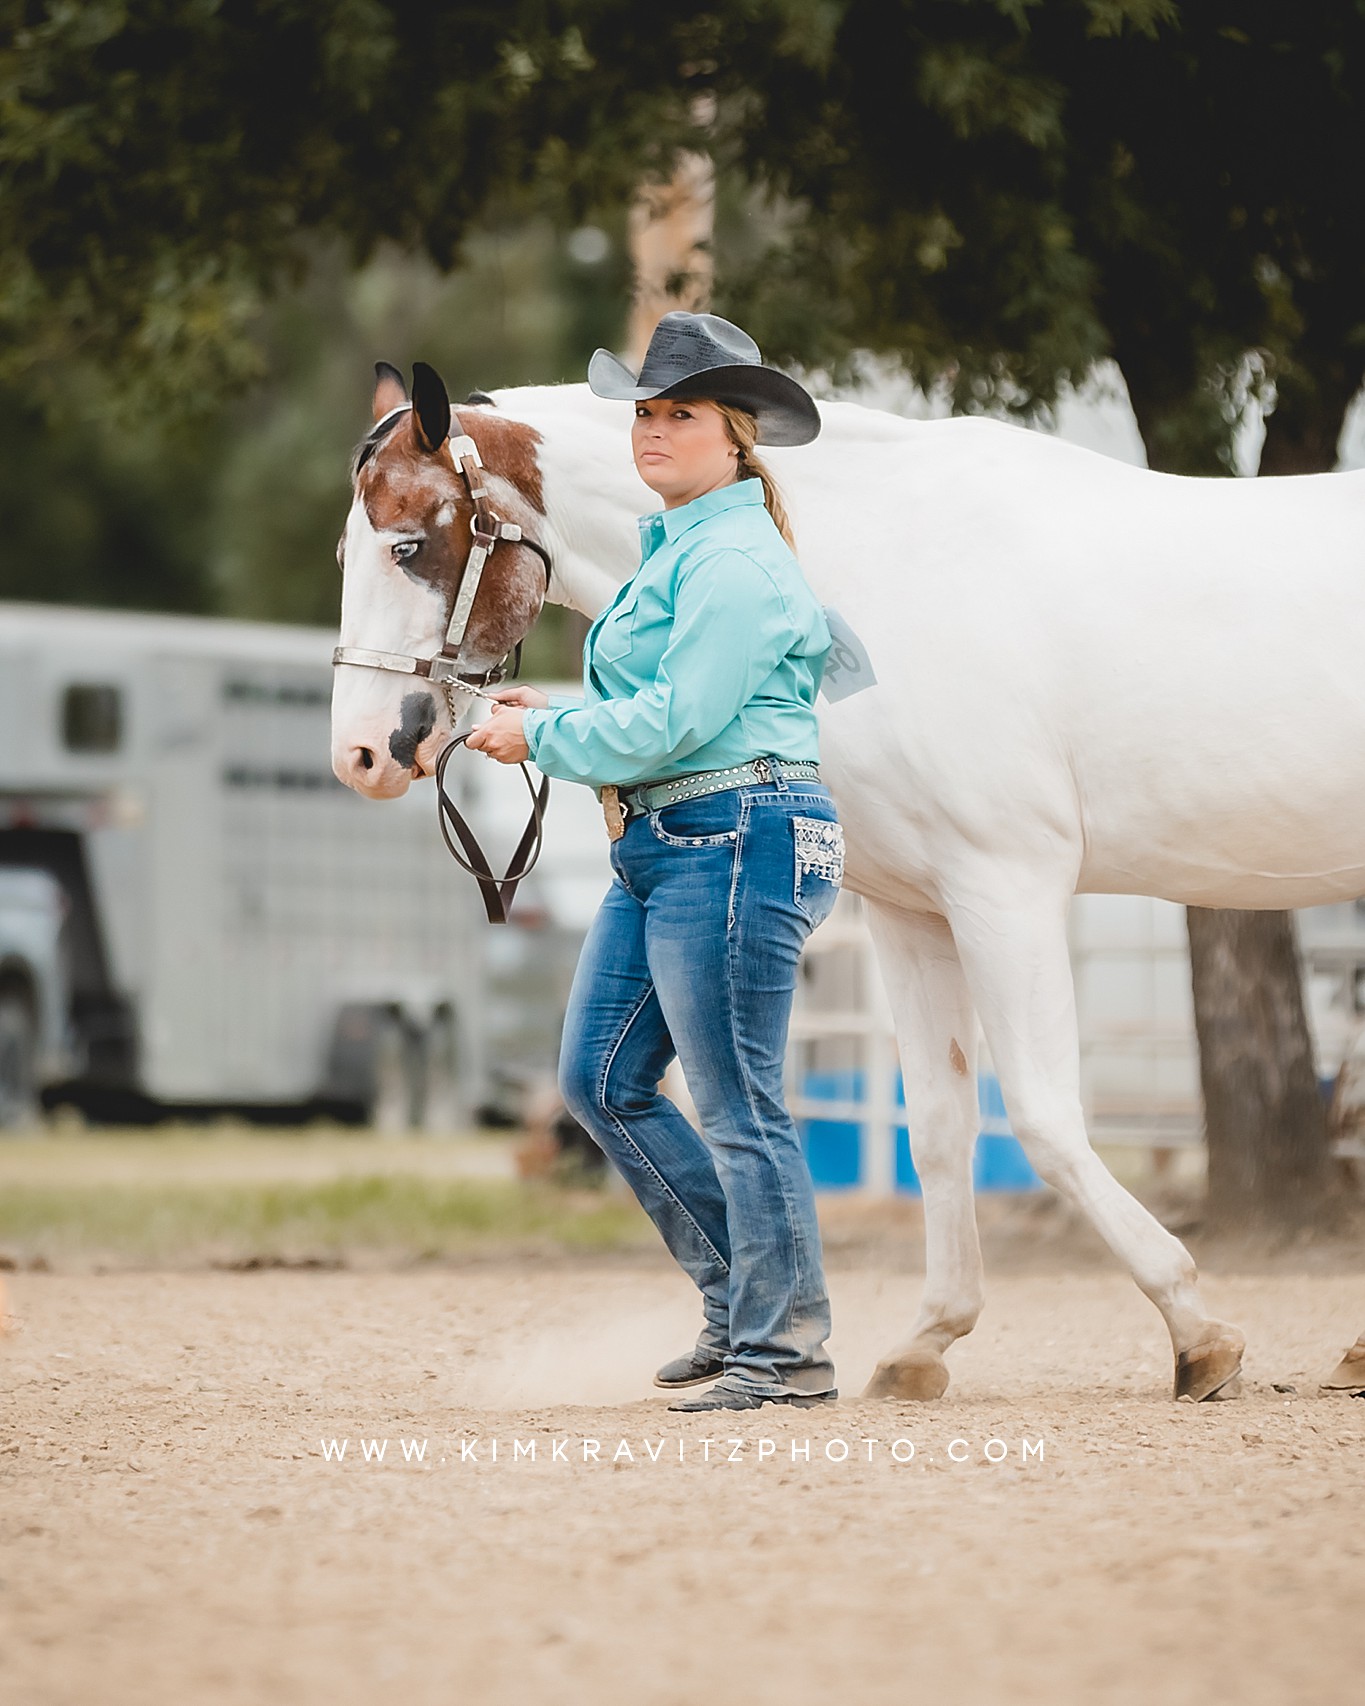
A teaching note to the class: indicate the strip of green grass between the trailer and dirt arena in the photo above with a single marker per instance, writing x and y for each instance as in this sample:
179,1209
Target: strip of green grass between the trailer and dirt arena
291,1221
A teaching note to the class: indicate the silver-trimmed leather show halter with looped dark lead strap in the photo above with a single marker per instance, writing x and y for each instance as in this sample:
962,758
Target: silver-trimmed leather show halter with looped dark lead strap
446,671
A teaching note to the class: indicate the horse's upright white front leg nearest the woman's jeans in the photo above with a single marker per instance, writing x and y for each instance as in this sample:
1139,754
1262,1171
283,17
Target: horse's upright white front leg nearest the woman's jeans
936,1030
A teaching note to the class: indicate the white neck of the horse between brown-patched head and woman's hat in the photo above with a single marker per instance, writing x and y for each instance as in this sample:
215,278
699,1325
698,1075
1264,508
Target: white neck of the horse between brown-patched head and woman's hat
593,494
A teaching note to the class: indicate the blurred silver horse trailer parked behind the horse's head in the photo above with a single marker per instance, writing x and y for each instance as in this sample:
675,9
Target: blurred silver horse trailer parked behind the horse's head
238,931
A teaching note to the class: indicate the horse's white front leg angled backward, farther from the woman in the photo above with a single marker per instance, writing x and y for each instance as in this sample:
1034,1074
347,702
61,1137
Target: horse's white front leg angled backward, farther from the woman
1016,961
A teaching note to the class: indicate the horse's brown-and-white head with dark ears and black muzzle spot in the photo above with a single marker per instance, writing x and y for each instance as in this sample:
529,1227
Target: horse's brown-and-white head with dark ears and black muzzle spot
404,557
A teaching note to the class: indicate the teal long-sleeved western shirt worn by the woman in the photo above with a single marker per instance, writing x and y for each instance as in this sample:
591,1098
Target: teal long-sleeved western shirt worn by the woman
709,656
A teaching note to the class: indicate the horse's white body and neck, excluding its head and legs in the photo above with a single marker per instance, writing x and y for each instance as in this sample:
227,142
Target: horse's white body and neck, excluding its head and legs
1130,682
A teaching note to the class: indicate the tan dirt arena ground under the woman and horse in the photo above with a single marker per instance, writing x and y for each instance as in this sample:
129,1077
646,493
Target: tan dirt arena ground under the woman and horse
173,1529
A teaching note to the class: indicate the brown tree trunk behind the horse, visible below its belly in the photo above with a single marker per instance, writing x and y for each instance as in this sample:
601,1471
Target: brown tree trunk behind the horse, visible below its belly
1265,1122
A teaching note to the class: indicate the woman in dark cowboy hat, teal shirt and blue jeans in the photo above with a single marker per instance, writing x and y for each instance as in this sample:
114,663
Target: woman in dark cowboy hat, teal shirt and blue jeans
699,729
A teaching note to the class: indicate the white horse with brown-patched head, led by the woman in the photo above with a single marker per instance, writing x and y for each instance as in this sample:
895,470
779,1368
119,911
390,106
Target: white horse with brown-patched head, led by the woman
1089,676
